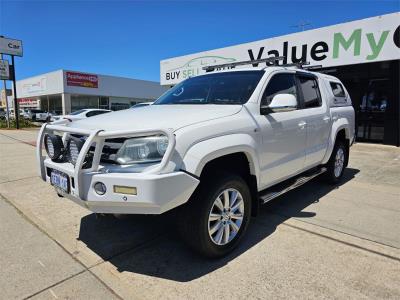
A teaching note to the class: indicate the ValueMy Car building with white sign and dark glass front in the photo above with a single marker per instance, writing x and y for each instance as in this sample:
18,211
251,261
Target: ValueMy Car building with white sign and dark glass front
364,54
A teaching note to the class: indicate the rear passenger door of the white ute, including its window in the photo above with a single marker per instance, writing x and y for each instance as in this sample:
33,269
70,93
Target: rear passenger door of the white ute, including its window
318,120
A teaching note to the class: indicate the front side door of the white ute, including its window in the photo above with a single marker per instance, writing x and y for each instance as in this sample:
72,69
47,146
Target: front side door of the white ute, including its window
283,133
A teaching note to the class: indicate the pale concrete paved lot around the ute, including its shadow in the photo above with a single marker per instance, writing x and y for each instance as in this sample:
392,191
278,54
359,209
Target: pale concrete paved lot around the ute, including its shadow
316,241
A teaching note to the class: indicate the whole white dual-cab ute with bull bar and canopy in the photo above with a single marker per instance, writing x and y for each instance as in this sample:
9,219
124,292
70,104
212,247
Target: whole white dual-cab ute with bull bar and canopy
217,146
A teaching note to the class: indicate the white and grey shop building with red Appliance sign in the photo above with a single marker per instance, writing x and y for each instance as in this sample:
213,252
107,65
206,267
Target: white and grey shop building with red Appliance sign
62,92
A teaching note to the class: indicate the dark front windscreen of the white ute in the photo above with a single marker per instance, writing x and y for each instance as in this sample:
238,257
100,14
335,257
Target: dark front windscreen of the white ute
219,88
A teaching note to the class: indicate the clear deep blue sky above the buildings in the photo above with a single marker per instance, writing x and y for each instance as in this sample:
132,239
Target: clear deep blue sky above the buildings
129,38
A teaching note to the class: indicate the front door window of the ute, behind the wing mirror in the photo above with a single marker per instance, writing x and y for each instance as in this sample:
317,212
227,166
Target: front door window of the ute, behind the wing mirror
279,84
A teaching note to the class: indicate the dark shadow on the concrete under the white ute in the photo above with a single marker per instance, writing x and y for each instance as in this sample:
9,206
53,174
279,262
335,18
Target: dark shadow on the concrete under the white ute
149,245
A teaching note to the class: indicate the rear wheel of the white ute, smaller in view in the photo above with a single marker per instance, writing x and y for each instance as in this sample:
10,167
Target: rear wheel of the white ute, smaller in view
337,163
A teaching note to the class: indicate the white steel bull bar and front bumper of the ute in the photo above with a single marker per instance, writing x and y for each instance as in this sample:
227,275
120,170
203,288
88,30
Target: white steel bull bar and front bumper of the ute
157,192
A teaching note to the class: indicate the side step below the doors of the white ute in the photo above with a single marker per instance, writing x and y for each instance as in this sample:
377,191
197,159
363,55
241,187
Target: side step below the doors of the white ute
288,185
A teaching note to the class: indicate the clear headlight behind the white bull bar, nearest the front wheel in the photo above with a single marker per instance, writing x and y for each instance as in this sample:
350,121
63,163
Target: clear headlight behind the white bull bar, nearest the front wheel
146,149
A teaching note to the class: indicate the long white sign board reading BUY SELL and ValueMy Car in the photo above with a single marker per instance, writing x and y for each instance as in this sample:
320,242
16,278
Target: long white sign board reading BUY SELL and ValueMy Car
368,40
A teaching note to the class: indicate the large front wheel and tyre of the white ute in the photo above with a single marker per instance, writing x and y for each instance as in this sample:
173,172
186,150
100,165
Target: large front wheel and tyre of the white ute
217,216
